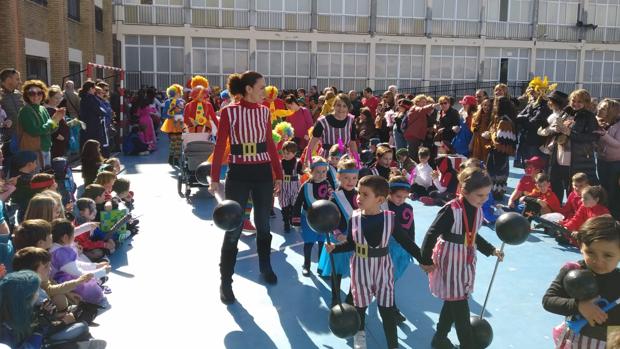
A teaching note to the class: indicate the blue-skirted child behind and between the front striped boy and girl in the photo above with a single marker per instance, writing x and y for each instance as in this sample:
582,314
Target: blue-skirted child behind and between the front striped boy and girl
399,191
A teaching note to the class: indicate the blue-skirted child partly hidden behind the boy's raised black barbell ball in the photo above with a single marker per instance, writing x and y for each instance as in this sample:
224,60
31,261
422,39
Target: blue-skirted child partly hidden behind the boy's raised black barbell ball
316,188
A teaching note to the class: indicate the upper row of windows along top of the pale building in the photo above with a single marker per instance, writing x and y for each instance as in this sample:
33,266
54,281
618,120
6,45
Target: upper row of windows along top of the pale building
604,13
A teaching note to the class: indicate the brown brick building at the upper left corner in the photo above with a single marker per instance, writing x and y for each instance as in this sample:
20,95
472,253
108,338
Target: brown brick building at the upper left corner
54,40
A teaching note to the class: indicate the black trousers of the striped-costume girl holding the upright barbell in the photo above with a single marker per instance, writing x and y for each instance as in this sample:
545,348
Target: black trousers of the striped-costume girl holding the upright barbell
457,313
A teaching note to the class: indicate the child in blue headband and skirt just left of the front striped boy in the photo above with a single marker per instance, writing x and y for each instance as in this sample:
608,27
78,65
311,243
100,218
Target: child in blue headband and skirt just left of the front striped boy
346,200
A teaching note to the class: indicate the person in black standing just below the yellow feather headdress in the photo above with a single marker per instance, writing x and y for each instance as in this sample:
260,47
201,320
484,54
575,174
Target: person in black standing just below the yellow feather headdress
529,120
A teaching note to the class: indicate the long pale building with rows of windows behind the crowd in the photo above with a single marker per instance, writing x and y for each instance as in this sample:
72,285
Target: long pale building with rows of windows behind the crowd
356,43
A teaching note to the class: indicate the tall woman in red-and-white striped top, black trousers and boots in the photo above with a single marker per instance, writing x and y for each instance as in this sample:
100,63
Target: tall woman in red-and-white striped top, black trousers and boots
252,163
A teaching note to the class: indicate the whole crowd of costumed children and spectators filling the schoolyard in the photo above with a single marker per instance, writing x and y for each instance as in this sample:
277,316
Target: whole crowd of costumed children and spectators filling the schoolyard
367,154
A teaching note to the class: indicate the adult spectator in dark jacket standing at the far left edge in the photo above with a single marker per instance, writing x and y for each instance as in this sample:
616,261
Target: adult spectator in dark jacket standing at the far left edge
11,101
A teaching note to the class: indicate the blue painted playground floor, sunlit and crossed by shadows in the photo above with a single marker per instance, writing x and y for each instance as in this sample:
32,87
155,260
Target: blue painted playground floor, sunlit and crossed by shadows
165,283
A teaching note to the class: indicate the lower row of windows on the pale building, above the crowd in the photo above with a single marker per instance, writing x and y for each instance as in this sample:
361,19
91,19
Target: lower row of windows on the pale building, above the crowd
292,60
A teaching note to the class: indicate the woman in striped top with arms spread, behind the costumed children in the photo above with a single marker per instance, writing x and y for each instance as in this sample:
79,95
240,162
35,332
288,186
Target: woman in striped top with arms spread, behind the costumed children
331,128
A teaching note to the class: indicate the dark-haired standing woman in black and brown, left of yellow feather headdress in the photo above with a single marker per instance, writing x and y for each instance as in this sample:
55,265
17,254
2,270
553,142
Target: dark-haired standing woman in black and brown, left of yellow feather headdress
503,142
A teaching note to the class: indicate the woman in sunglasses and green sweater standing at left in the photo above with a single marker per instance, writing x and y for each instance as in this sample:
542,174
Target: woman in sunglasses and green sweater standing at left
34,124
